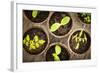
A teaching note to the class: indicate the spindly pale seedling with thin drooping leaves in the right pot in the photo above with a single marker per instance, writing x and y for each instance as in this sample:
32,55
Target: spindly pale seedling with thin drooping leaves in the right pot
78,39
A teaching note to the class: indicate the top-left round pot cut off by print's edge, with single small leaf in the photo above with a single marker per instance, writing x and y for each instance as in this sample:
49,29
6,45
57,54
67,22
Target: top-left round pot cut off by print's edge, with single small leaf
36,16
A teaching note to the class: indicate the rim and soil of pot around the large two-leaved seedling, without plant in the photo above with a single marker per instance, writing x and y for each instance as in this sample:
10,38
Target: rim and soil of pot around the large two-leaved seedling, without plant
63,30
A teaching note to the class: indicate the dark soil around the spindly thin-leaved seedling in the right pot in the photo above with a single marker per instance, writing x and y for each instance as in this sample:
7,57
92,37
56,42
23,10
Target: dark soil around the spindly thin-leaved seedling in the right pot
83,46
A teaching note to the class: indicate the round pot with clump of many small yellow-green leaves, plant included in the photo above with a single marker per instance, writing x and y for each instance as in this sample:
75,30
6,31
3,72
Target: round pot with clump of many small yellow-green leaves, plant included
35,40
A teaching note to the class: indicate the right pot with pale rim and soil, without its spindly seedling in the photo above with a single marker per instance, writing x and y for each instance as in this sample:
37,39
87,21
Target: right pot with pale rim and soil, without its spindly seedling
83,46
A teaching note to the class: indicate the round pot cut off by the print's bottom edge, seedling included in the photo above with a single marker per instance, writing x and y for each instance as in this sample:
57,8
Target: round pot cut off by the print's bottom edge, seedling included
57,52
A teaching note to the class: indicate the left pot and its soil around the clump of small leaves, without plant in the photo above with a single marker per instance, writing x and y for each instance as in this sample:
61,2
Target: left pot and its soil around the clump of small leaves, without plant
42,35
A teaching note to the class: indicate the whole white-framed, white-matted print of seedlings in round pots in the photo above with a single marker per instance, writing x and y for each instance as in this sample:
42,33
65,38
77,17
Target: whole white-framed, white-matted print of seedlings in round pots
51,36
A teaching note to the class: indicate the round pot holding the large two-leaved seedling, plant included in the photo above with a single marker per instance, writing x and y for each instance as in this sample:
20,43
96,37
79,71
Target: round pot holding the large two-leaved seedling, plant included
60,24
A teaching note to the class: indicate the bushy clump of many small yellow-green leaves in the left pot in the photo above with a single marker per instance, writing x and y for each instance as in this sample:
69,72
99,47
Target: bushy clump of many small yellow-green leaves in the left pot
33,44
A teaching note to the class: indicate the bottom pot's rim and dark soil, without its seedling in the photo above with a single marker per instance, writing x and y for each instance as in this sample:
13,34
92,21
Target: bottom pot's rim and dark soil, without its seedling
64,55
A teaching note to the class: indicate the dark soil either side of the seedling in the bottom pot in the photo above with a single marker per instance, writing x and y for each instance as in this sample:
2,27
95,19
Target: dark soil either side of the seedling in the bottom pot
64,55
